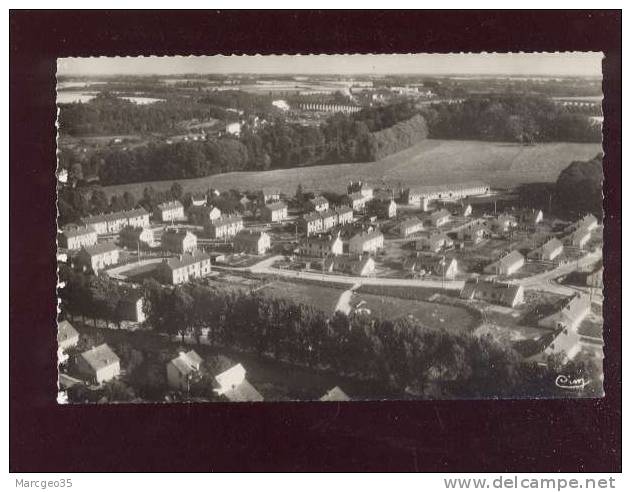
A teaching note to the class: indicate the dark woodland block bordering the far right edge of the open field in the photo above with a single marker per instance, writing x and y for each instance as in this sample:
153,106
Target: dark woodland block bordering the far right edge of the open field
524,119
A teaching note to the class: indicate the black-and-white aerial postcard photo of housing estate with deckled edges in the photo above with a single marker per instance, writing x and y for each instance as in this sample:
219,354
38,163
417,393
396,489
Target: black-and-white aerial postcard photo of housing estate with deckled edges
329,228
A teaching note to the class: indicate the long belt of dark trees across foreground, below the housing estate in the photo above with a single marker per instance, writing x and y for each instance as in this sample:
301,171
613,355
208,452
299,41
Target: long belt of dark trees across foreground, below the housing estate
402,354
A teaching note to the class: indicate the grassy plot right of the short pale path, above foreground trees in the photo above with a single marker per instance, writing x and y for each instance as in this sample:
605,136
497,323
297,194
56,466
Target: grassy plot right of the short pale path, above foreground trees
431,314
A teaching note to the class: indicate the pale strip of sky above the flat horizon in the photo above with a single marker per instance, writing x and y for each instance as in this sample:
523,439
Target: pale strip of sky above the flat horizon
586,64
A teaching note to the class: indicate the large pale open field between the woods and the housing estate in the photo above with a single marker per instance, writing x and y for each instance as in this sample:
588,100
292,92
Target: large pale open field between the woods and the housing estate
429,162
